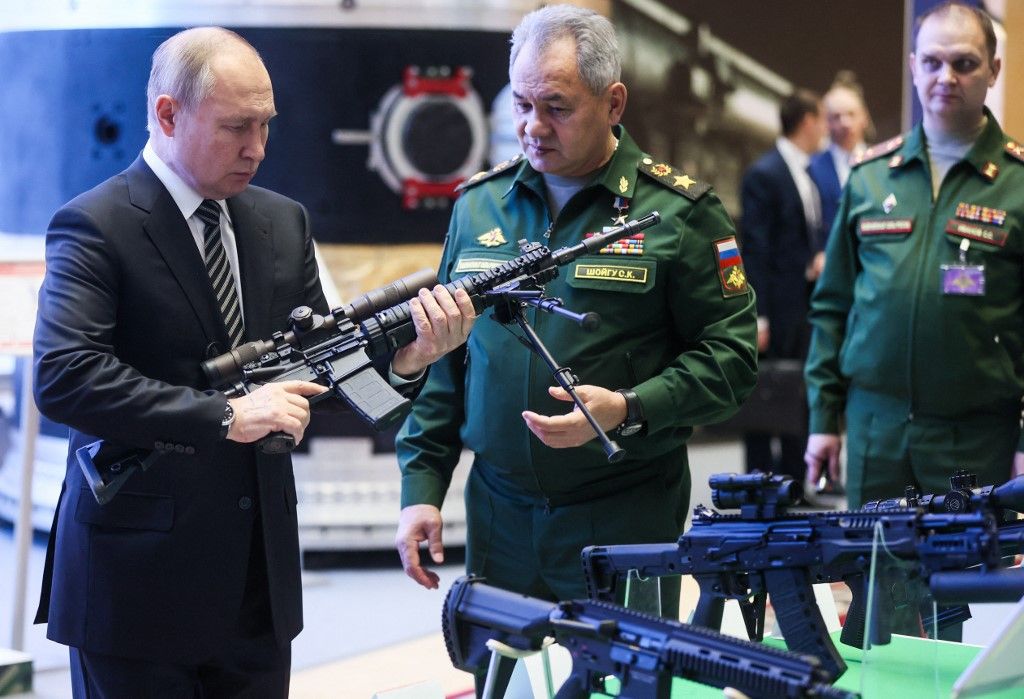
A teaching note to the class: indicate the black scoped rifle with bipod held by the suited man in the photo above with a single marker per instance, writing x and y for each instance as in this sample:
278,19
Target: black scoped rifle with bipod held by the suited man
337,351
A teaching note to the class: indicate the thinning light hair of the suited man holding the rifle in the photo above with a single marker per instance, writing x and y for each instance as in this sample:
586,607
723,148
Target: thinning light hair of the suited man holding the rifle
182,67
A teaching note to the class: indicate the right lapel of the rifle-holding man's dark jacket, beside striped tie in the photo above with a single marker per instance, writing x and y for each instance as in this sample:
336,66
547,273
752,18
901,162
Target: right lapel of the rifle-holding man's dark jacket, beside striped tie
255,246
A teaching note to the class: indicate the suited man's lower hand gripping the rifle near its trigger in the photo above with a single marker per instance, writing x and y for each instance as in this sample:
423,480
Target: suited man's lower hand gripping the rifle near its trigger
278,407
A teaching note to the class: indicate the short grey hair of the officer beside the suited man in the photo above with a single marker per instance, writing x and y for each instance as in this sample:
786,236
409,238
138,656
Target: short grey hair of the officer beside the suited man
599,60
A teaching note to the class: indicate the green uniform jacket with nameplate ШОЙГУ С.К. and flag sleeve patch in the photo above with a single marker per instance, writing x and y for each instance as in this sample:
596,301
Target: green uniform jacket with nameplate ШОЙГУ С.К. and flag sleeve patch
678,328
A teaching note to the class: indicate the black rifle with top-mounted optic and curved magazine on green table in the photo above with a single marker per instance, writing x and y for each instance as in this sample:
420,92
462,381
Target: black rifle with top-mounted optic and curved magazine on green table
766,551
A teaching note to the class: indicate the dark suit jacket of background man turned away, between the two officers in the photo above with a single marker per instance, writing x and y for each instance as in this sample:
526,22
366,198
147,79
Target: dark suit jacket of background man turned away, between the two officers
778,247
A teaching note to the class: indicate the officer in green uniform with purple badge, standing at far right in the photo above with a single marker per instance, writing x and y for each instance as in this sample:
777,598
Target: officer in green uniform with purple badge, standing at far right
919,318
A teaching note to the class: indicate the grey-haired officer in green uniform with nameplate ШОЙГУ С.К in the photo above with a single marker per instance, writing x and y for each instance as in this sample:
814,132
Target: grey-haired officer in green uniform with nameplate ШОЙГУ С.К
676,346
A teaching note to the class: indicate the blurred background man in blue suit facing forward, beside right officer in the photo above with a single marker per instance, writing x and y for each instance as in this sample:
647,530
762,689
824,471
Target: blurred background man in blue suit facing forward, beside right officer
848,123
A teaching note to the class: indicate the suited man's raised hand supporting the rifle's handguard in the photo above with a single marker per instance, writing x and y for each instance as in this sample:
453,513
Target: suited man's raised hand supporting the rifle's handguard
443,323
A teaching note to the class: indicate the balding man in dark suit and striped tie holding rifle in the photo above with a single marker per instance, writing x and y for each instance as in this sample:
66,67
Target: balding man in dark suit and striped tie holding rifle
188,583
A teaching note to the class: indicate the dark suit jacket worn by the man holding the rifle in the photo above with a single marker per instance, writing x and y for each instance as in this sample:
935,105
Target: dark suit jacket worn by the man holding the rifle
126,317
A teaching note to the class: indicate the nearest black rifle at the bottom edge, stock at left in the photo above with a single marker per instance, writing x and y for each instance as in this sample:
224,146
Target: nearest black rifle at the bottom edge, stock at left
644,652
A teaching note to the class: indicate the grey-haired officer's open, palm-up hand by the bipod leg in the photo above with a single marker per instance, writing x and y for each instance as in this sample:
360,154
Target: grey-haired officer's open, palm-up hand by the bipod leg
573,429
